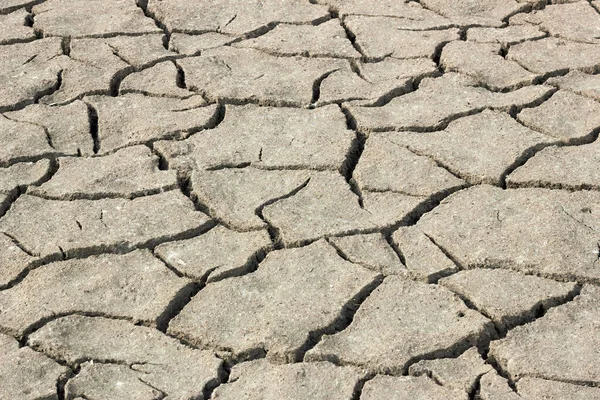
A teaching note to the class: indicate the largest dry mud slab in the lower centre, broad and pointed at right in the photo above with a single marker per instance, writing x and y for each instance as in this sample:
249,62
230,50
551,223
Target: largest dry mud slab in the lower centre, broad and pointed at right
264,312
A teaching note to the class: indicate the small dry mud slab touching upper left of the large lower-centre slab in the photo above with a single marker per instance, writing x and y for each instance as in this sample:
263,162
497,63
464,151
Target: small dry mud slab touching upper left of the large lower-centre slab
217,254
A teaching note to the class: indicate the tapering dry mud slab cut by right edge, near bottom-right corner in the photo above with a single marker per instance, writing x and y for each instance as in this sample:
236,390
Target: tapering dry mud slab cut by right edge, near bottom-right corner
563,345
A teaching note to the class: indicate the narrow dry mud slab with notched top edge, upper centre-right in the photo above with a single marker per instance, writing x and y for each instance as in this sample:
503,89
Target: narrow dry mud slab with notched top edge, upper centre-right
377,83
